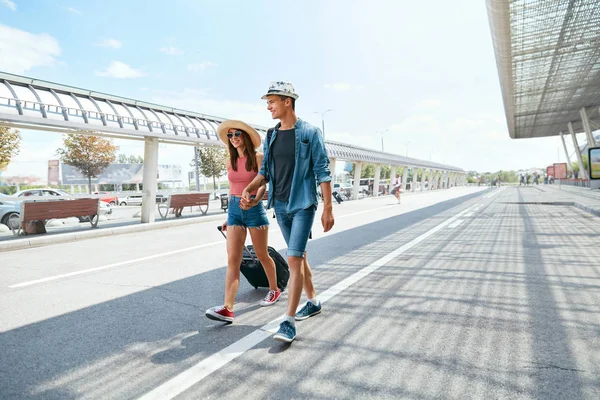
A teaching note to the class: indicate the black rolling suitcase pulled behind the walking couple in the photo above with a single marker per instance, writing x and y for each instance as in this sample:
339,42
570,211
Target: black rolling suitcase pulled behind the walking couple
253,270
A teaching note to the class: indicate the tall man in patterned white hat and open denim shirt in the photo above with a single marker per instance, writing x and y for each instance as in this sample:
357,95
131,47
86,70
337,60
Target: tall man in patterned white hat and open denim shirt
295,160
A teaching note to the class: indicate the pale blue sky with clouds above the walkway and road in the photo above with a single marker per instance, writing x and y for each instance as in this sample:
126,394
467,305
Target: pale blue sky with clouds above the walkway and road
420,75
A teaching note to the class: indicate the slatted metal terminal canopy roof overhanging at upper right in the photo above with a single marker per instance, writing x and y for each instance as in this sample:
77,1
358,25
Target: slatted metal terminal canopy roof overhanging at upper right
548,58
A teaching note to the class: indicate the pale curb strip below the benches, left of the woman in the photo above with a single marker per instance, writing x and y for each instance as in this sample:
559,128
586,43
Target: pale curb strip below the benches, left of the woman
20,244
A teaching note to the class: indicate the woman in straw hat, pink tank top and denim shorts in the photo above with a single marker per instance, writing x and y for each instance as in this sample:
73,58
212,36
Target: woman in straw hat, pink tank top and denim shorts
242,166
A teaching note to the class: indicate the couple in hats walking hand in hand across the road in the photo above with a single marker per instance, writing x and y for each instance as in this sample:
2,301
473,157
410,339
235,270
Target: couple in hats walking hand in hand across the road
293,162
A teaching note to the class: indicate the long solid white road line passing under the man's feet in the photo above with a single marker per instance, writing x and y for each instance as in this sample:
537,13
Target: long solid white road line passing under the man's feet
185,380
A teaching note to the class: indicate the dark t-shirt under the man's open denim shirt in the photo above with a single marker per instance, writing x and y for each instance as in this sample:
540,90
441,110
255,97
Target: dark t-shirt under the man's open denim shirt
283,152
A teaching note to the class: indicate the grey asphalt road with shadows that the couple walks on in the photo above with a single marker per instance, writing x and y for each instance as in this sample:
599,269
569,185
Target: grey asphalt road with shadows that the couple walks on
456,294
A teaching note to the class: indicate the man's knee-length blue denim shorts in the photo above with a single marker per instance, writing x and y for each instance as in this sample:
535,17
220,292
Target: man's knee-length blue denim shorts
295,227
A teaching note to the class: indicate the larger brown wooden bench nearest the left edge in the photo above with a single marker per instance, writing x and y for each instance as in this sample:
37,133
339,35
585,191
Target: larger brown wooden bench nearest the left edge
43,210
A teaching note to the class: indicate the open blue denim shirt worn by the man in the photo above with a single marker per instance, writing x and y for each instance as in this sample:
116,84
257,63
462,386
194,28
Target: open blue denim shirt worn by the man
311,167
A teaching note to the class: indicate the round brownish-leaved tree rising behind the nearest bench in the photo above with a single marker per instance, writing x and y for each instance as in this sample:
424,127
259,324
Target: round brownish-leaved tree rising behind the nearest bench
89,154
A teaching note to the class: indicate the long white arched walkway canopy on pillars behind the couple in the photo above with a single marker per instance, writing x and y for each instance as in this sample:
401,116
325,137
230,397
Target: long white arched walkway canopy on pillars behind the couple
35,104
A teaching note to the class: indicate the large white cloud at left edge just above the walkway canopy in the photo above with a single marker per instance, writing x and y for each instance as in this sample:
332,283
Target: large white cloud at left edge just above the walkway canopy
21,51
